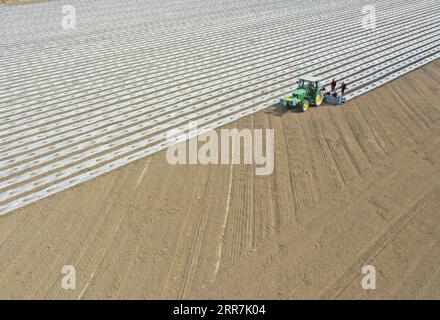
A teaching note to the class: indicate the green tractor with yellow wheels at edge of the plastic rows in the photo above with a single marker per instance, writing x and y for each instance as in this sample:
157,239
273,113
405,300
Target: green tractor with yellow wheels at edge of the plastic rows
308,93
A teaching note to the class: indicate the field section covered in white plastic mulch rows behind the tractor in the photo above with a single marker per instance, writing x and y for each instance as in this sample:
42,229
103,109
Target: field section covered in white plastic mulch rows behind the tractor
110,95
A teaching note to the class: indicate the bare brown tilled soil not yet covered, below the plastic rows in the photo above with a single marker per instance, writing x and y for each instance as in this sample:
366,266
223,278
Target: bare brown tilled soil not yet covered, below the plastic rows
353,185
